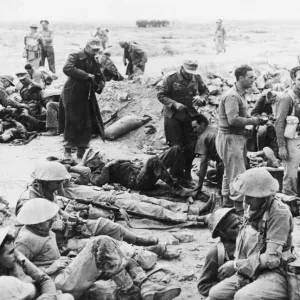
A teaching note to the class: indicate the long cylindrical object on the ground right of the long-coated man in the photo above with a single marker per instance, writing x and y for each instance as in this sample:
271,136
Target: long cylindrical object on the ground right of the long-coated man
125,125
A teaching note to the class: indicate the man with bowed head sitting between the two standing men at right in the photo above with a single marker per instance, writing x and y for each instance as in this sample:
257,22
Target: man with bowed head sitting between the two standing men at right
266,135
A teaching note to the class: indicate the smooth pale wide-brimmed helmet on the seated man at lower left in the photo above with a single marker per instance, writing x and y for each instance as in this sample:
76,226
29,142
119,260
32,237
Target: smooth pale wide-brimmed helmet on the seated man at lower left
37,210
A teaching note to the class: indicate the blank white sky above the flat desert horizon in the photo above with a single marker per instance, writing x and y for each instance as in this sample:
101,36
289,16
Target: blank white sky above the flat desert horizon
131,10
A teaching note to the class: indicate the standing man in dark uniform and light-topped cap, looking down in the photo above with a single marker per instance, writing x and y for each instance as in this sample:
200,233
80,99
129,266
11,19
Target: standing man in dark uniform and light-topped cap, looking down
178,93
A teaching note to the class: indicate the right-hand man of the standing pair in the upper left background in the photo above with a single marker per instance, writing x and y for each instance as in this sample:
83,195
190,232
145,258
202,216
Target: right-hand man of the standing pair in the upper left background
48,51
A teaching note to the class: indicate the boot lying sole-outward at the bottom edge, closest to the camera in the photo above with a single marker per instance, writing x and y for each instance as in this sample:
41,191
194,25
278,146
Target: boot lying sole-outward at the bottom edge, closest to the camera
154,291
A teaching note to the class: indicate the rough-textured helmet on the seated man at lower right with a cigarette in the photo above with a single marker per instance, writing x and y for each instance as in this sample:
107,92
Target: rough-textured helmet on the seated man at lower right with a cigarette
256,182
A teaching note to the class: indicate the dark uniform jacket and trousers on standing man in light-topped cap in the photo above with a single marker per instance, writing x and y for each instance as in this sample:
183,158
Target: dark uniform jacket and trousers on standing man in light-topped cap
178,124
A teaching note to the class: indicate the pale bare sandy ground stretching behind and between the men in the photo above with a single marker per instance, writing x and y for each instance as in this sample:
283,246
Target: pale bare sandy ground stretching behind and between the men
261,45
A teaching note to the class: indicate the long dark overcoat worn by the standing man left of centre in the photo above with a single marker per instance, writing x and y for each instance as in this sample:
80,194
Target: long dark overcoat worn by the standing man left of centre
79,113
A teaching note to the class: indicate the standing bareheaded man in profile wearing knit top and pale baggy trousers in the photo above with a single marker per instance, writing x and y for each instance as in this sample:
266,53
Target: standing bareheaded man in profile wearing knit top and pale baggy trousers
231,141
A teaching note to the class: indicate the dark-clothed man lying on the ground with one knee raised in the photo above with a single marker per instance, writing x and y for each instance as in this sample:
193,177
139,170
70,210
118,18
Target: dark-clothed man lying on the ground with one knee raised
131,176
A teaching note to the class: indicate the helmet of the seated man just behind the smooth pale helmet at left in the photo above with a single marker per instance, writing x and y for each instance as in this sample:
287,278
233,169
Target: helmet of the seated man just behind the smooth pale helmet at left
50,171
